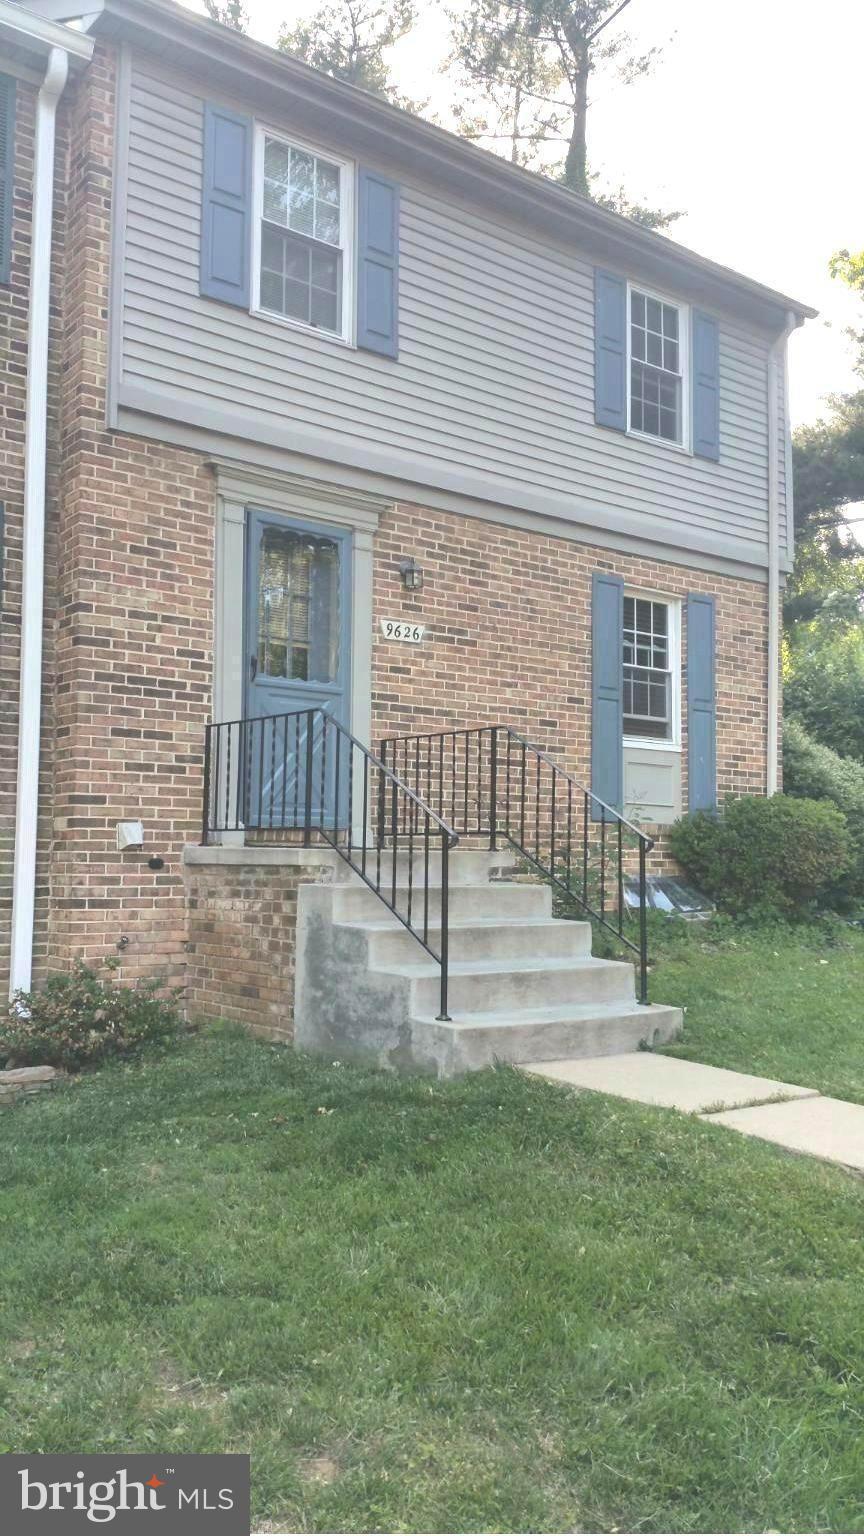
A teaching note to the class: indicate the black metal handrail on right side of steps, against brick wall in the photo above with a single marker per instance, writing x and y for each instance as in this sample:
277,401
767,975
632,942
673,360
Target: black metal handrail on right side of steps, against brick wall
493,783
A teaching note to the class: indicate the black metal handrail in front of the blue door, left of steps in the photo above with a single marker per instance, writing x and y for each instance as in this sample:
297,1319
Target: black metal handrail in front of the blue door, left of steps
305,772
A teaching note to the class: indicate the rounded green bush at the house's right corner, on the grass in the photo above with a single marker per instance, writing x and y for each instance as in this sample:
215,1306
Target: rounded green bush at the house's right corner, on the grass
765,856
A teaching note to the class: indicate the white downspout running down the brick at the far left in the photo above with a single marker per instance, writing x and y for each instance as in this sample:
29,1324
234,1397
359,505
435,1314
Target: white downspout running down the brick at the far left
33,591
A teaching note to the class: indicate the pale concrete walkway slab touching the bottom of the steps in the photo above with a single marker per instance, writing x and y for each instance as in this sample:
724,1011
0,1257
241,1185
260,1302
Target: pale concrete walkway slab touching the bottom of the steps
670,1082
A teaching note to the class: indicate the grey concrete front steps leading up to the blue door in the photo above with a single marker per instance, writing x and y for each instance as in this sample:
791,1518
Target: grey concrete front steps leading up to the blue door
523,985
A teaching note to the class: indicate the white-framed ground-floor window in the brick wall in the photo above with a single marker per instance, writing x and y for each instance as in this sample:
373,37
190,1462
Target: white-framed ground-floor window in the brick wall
653,669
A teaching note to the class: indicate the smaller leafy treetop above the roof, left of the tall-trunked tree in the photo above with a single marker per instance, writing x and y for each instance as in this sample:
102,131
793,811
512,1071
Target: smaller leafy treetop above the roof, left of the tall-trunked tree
348,39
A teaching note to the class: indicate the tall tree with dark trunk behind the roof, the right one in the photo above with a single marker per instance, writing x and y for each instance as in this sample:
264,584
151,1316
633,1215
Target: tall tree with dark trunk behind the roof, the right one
527,67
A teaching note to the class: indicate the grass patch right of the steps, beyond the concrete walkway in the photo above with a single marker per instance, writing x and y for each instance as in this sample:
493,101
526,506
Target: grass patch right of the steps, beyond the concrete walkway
780,1002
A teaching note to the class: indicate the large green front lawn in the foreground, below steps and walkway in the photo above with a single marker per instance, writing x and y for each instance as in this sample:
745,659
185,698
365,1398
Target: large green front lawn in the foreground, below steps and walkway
485,1305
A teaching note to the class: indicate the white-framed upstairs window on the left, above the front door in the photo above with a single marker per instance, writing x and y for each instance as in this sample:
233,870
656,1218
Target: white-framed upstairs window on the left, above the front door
304,247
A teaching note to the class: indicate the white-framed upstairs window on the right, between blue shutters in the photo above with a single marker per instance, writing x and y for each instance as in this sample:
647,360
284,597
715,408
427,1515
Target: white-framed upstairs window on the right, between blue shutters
657,368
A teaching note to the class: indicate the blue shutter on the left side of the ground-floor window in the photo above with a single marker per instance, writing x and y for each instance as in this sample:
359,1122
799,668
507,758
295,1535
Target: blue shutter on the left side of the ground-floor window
608,703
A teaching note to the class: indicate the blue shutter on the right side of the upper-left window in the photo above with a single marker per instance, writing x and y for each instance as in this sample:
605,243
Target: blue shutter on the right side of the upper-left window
379,265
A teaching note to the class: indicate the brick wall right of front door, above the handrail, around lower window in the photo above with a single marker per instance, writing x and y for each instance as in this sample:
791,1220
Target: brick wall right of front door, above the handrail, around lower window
508,640
